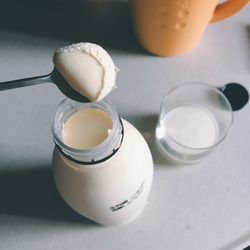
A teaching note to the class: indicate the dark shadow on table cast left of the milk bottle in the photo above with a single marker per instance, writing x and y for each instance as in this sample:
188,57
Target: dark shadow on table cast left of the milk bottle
31,192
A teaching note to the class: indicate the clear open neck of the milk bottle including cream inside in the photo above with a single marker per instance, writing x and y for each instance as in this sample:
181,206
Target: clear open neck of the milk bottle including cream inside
87,132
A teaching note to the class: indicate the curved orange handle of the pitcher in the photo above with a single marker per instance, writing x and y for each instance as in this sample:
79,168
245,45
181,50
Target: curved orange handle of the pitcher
227,9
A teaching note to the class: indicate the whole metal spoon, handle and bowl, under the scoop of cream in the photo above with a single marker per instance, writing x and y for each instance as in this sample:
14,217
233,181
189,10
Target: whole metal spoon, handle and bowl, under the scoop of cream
54,77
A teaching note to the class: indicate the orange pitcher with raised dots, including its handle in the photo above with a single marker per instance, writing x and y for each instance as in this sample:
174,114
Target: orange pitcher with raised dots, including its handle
173,27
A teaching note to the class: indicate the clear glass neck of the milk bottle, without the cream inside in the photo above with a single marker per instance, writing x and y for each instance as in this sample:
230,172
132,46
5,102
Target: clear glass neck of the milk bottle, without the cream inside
100,152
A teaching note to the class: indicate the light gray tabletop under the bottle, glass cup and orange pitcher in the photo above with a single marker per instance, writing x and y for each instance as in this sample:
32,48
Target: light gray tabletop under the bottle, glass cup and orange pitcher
204,206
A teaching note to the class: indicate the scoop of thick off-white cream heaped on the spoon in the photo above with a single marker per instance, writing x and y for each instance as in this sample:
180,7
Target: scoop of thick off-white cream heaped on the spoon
88,69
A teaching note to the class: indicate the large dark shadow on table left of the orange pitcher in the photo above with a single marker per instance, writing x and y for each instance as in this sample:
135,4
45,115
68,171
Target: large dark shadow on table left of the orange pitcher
107,23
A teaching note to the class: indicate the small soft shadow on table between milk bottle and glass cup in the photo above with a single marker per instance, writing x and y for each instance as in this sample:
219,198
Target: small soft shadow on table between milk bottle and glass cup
146,124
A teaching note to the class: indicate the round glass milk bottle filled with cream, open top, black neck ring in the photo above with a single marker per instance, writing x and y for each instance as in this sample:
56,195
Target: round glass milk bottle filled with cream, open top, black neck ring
102,165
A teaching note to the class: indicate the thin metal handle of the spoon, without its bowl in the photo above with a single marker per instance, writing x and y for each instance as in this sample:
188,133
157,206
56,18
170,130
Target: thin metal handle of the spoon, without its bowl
25,82
